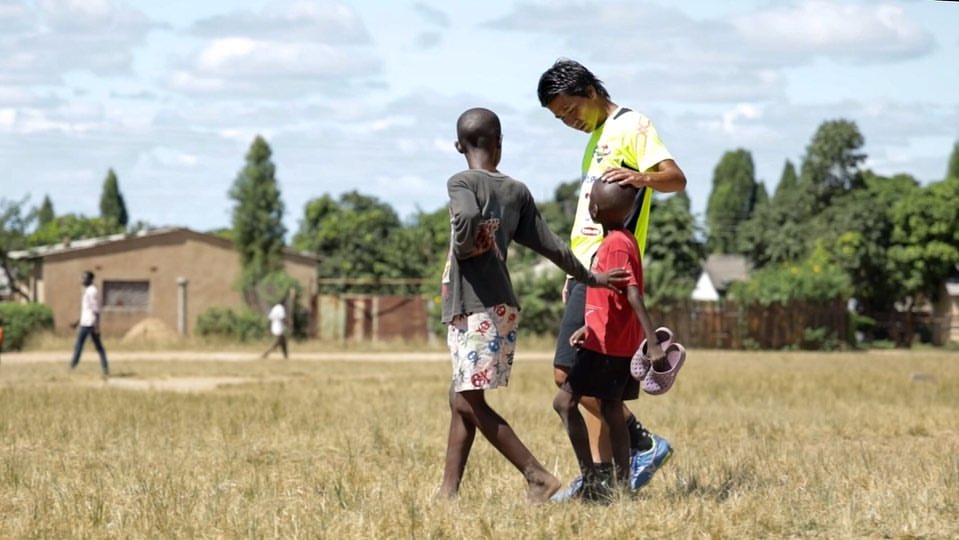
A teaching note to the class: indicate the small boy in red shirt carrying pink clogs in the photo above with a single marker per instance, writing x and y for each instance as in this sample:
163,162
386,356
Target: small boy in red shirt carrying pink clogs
616,323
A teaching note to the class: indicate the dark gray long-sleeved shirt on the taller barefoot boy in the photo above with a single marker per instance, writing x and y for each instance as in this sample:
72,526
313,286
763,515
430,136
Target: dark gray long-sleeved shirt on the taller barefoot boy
488,211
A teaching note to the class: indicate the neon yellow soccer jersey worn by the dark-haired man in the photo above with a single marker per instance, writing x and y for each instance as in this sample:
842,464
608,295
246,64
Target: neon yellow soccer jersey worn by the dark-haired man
627,139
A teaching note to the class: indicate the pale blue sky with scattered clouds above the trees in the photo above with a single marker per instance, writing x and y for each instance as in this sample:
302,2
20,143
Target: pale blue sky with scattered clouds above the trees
364,95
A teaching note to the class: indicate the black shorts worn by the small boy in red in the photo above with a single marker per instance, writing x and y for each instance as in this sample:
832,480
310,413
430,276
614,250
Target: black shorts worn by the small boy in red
602,376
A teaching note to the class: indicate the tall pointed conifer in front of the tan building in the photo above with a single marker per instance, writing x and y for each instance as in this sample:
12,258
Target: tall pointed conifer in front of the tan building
258,229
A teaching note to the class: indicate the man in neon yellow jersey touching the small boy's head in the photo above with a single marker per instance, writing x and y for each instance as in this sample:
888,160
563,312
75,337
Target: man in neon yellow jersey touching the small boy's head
624,147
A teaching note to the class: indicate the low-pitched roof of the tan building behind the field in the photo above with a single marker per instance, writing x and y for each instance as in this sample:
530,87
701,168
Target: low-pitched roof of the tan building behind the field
79,246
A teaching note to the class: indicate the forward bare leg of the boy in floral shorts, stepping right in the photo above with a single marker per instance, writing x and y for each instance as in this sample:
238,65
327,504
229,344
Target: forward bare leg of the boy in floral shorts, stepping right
541,484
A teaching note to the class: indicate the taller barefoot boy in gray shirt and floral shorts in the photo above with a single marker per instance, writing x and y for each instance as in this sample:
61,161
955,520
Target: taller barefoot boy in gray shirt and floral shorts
488,210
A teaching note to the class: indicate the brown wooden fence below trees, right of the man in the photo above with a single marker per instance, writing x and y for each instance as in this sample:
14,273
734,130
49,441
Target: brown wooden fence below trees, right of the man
726,325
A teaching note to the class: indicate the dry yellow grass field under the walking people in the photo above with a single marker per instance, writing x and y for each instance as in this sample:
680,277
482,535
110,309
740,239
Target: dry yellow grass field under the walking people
344,445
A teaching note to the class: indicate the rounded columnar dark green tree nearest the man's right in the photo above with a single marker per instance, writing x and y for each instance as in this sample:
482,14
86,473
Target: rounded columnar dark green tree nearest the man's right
731,200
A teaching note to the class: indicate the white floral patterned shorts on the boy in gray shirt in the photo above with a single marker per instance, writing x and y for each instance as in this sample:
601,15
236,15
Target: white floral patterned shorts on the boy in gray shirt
482,346
